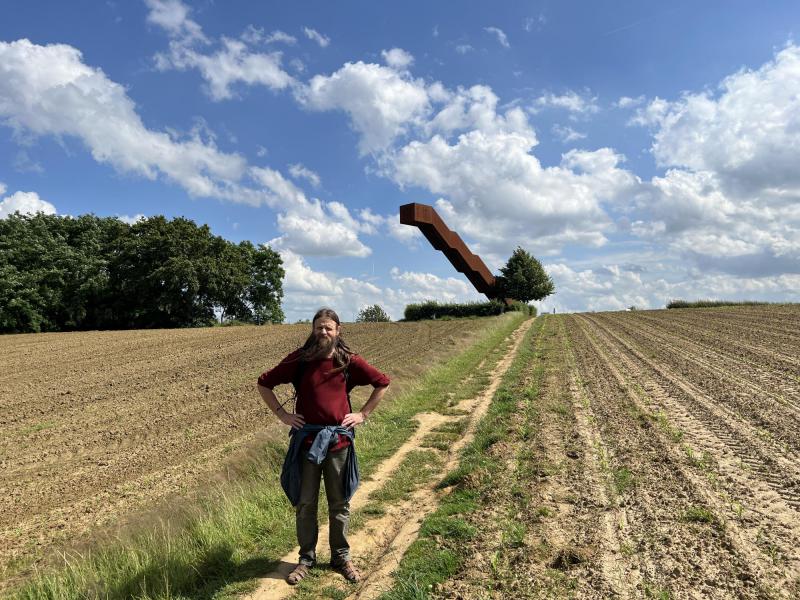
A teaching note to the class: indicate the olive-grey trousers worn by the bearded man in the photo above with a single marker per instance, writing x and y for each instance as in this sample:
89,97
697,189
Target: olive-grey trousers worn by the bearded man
332,471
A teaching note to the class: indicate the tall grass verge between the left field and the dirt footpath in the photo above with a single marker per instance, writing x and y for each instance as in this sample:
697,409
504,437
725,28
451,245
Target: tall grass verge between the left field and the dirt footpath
238,531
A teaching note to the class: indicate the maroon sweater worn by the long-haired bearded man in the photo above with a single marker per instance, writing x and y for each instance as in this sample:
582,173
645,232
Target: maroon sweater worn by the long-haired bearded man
322,397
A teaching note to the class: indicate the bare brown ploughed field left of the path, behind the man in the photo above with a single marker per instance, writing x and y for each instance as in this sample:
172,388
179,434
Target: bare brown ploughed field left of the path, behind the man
98,426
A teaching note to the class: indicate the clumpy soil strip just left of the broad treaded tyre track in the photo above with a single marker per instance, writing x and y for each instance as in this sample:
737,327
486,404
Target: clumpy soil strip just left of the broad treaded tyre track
679,553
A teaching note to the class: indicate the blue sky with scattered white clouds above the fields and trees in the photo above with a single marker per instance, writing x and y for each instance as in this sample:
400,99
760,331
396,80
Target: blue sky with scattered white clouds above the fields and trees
642,150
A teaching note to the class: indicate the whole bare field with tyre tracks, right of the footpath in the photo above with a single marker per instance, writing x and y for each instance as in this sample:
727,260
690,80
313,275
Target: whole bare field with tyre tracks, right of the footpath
650,454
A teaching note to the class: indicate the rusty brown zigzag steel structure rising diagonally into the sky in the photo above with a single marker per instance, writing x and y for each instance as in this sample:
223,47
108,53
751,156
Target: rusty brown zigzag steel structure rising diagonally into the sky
442,238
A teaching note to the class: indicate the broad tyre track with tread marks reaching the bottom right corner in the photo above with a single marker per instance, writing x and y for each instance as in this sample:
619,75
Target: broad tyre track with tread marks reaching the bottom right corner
769,529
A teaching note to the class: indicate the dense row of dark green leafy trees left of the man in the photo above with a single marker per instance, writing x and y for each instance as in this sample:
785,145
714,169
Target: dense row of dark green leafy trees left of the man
64,274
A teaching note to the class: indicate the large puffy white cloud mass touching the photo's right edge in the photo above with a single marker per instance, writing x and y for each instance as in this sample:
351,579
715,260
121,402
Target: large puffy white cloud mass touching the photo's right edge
730,197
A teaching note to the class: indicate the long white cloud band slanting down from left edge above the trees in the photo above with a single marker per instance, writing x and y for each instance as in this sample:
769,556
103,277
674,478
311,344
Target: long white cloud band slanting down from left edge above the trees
48,90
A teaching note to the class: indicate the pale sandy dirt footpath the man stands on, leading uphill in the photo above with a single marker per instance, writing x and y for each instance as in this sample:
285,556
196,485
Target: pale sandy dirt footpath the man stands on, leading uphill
379,545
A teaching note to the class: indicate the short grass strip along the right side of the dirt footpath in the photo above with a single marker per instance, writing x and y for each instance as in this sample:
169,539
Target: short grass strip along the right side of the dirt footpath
437,554
